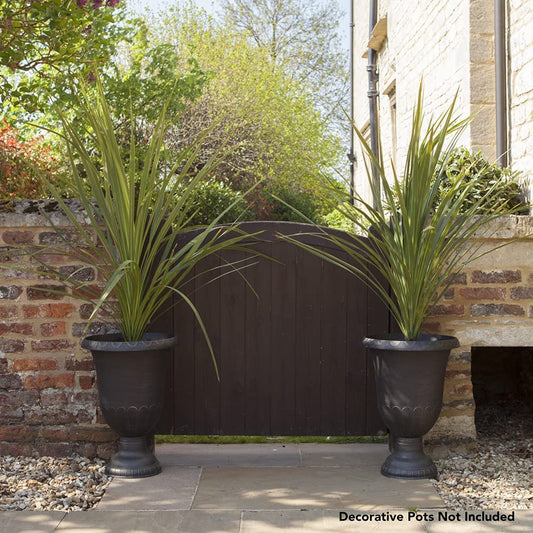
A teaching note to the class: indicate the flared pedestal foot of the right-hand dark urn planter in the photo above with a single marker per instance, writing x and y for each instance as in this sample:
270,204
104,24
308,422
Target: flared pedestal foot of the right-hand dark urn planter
408,460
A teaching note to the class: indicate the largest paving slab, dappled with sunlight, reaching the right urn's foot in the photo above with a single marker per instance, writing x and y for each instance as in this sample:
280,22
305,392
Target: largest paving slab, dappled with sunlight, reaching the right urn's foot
357,488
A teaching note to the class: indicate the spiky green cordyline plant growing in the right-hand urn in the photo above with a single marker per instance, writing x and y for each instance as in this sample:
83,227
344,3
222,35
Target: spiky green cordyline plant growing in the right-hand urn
420,233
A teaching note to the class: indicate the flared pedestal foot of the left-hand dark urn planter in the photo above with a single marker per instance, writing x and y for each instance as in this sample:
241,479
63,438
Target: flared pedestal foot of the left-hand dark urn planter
133,459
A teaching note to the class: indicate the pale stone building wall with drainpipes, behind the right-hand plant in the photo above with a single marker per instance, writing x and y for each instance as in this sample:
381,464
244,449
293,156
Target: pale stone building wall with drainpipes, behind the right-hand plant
450,45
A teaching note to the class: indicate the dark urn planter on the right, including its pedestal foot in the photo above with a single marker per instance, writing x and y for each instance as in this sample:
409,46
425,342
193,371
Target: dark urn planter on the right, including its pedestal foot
409,387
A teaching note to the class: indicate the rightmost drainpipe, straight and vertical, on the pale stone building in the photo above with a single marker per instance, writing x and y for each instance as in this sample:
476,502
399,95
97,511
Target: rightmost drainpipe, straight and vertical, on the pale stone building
500,56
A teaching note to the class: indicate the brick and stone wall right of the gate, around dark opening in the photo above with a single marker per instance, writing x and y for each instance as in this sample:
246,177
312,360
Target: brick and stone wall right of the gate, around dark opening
489,304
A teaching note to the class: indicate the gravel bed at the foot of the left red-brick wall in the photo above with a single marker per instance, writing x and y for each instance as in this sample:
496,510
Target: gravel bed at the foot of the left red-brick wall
51,483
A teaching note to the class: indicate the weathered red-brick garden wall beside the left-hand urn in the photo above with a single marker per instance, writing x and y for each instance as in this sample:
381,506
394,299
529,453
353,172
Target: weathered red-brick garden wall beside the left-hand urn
48,398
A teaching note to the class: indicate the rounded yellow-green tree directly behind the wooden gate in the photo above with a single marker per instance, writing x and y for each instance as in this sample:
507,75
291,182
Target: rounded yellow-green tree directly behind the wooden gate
265,117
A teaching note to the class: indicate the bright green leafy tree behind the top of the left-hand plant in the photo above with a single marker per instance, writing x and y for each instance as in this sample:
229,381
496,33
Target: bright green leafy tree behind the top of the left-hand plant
137,78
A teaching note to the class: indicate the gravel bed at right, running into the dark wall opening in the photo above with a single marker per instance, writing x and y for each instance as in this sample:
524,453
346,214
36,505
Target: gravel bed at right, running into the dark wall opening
498,476
